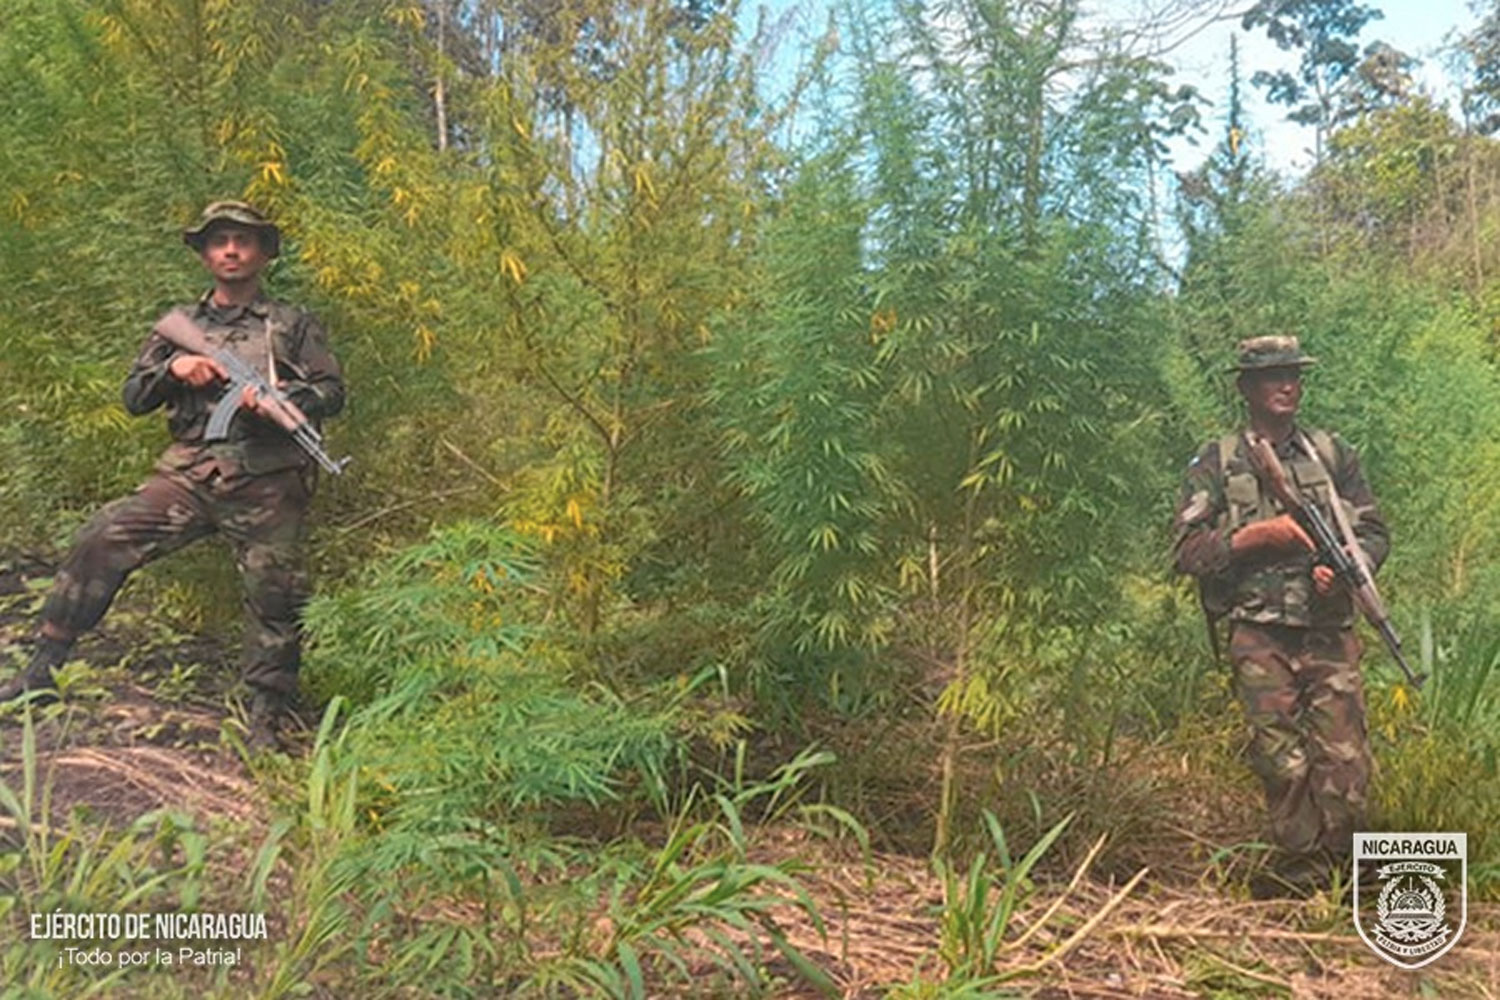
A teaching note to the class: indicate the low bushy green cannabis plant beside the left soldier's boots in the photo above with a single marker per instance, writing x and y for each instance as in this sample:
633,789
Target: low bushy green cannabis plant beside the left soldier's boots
439,647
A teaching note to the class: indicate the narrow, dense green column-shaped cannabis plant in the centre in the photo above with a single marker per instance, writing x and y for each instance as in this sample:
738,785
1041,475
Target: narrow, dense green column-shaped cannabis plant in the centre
797,385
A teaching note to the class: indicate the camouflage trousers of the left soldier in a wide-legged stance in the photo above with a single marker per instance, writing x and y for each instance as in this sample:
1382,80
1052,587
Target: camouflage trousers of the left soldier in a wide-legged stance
262,516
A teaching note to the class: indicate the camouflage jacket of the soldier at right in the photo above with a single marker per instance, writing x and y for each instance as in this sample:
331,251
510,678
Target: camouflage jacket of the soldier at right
1220,497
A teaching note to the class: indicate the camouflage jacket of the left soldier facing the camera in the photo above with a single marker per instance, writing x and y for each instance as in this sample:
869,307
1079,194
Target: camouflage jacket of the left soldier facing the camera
307,371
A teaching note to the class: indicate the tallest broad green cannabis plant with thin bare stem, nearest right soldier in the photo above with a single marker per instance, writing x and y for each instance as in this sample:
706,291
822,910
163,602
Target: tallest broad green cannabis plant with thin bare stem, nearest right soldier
953,397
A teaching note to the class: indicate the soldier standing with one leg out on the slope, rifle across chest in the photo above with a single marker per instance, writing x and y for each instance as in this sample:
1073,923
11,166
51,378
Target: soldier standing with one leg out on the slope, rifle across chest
253,488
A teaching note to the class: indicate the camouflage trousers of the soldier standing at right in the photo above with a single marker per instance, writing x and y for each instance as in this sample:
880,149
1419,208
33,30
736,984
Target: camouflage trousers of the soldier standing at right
1306,705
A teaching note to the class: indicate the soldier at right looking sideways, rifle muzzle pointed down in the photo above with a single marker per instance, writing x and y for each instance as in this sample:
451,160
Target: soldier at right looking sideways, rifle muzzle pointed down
1292,641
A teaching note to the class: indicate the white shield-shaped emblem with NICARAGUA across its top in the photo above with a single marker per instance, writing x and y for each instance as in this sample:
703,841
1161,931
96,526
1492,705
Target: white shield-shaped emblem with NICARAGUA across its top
1411,900
